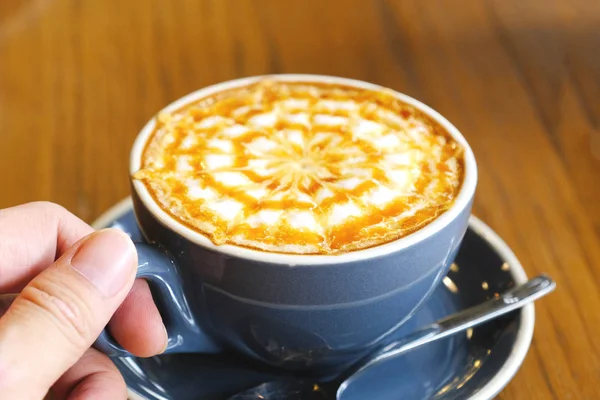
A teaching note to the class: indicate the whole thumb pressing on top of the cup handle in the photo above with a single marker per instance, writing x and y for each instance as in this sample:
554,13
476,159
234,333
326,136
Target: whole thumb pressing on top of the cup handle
61,312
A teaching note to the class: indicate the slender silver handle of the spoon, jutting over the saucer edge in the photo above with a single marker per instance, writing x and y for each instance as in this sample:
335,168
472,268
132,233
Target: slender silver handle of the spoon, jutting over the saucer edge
509,301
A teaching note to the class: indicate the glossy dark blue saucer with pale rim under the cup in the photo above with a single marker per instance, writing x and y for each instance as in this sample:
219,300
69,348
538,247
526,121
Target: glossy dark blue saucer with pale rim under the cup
472,366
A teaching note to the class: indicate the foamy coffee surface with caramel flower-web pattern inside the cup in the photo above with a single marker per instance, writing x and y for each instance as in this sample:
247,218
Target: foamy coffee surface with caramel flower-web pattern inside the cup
301,168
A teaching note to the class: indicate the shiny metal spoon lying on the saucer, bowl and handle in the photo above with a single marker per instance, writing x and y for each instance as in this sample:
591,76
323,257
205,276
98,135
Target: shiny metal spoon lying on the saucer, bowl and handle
297,388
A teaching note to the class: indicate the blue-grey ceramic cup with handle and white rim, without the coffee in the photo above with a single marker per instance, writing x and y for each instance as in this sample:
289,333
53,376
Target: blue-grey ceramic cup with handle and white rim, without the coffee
310,312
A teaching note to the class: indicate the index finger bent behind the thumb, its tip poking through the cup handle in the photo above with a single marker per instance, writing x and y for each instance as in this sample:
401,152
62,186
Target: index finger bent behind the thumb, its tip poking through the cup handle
34,235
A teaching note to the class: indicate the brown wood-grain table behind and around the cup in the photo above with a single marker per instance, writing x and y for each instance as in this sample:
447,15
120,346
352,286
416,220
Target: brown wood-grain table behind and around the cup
520,79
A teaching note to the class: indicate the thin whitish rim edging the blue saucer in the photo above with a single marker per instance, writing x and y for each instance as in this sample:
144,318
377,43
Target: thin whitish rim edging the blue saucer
523,337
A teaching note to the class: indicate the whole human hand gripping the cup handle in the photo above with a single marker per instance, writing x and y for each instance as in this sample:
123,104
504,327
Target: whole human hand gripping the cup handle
71,280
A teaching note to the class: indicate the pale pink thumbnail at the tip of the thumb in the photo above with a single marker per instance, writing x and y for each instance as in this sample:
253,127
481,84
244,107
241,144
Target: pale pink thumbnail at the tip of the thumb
107,260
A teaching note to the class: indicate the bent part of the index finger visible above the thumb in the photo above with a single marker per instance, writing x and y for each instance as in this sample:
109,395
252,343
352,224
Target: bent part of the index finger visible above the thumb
33,236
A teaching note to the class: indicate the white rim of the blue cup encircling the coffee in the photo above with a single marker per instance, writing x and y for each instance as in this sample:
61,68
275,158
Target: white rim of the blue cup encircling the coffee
462,201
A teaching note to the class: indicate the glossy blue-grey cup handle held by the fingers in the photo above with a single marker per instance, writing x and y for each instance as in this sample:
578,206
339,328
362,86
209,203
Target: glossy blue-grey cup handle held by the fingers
183,332
